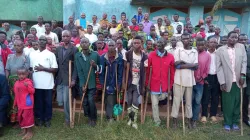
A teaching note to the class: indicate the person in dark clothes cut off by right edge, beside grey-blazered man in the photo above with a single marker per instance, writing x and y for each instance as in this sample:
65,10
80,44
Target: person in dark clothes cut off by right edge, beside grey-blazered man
243,38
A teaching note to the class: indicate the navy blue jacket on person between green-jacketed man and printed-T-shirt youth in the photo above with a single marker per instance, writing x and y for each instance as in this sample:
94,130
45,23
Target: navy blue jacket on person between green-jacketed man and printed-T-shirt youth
111,75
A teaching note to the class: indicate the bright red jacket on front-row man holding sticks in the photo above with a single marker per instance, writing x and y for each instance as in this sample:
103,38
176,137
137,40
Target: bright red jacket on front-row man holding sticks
160,69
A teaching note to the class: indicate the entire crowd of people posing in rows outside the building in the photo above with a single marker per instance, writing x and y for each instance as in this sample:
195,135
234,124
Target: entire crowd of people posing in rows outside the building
195,62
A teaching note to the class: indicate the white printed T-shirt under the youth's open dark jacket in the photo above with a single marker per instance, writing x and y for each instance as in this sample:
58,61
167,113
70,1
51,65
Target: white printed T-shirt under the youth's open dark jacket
136,68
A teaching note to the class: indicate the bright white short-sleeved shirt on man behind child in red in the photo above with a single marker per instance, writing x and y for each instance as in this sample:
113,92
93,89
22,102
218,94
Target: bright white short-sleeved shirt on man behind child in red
42,79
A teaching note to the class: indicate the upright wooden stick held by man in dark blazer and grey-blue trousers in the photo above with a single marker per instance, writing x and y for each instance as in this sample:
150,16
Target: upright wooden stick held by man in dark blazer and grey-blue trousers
70,95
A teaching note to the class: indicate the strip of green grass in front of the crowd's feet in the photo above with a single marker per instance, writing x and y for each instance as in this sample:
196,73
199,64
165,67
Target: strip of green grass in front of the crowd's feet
120,131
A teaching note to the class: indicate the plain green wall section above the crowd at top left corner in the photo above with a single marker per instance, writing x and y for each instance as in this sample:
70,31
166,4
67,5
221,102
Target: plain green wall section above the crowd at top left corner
29,10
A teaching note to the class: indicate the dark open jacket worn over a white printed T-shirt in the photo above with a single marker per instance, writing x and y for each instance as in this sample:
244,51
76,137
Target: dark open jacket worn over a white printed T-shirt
129,58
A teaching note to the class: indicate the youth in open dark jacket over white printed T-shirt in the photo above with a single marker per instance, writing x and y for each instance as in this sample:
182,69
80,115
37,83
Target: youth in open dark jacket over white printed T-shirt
136,59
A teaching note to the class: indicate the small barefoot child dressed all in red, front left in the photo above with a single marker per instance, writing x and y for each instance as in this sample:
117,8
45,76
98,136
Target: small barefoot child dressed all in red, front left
24,101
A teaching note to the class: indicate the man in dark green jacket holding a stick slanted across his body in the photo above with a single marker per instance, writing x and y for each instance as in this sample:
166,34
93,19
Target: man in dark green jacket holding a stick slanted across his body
83,61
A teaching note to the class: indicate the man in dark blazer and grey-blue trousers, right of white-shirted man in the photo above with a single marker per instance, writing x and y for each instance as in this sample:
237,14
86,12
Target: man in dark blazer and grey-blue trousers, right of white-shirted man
64,54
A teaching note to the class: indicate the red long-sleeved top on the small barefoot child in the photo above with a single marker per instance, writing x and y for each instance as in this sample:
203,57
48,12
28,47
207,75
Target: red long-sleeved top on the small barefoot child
21,92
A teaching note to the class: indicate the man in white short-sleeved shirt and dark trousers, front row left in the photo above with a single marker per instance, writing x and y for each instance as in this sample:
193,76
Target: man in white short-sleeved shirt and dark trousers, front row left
44,65
